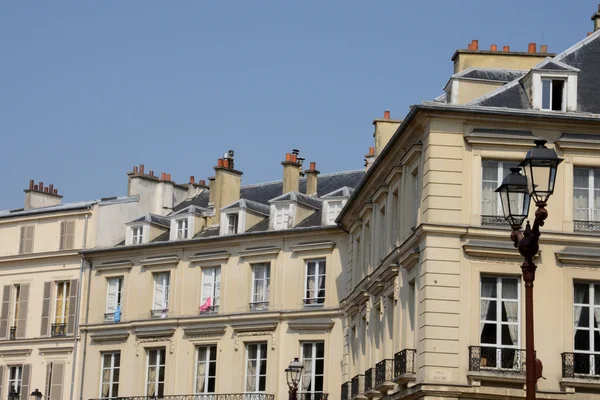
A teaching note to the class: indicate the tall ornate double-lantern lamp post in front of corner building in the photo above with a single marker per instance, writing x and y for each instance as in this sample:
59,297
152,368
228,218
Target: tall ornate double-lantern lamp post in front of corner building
540,167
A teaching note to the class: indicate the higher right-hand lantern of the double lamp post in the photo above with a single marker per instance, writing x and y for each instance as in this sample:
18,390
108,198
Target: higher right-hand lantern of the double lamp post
540,167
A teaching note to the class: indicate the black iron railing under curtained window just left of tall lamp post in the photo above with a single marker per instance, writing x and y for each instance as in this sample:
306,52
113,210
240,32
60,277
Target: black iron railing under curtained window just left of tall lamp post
498,359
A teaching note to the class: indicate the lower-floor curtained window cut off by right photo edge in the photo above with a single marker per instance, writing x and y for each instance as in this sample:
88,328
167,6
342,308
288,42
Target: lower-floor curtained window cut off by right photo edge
586,327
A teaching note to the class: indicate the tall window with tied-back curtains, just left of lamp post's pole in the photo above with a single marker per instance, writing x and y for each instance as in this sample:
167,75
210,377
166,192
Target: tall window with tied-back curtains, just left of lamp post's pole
499,323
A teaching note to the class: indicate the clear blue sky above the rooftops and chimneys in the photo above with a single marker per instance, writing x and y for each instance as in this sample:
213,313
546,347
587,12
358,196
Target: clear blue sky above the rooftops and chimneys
90,88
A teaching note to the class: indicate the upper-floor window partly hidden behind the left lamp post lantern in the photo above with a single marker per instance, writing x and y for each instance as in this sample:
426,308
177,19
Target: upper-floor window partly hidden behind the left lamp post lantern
492,175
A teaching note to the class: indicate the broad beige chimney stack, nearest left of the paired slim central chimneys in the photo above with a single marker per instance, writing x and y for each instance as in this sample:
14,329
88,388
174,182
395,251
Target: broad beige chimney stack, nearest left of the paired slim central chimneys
227,184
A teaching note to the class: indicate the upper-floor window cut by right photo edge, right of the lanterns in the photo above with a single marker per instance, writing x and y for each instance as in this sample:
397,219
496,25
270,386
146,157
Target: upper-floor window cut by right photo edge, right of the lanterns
586,193
